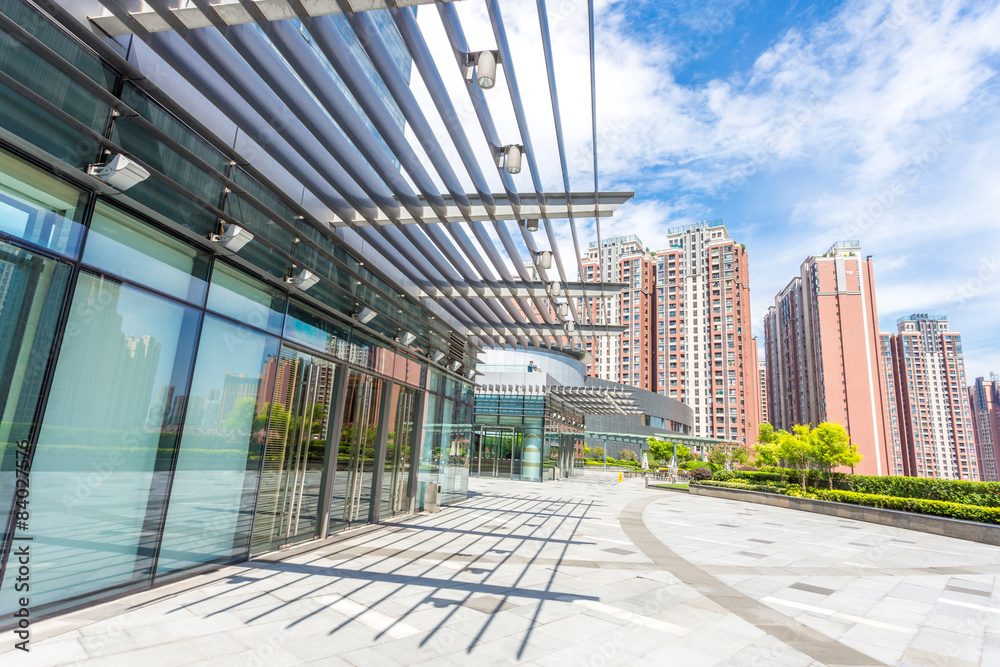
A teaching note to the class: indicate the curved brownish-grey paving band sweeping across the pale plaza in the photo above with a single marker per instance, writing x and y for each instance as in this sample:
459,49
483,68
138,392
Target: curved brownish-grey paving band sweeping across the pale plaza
794,634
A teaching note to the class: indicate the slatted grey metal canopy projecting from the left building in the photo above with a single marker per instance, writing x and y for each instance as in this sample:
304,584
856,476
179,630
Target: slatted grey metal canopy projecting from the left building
340,91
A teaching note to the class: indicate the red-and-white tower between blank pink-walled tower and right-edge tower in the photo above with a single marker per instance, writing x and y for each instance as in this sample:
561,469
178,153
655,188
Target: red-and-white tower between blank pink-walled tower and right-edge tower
931,399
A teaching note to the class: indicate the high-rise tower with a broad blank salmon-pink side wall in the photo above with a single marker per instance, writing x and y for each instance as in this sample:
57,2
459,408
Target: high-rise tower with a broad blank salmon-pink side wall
822,353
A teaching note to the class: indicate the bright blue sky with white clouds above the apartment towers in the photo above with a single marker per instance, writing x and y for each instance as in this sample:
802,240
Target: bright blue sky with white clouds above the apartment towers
799,124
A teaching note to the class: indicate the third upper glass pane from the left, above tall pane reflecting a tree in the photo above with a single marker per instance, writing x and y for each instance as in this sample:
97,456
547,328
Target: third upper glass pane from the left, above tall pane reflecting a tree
237,295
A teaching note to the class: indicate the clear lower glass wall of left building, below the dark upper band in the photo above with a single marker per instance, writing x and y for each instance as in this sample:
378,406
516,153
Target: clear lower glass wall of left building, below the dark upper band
180,413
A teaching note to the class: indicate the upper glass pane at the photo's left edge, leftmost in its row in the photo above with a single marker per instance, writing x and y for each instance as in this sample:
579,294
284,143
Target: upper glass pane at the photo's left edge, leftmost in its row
39,208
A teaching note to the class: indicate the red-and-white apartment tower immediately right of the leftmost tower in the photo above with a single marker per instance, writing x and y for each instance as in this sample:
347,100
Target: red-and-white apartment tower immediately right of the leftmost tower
703,331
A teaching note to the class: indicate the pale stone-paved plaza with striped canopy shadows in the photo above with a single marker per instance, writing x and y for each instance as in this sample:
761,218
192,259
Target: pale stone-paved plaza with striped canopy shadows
586,571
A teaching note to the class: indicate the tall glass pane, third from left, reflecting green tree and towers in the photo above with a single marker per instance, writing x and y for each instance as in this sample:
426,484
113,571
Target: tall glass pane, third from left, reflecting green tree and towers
212,495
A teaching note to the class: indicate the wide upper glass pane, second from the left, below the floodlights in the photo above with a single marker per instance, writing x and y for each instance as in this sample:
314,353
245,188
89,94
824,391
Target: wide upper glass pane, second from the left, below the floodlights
134,250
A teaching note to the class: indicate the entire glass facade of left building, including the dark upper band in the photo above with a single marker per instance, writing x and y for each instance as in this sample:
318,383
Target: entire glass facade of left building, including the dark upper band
173,406
